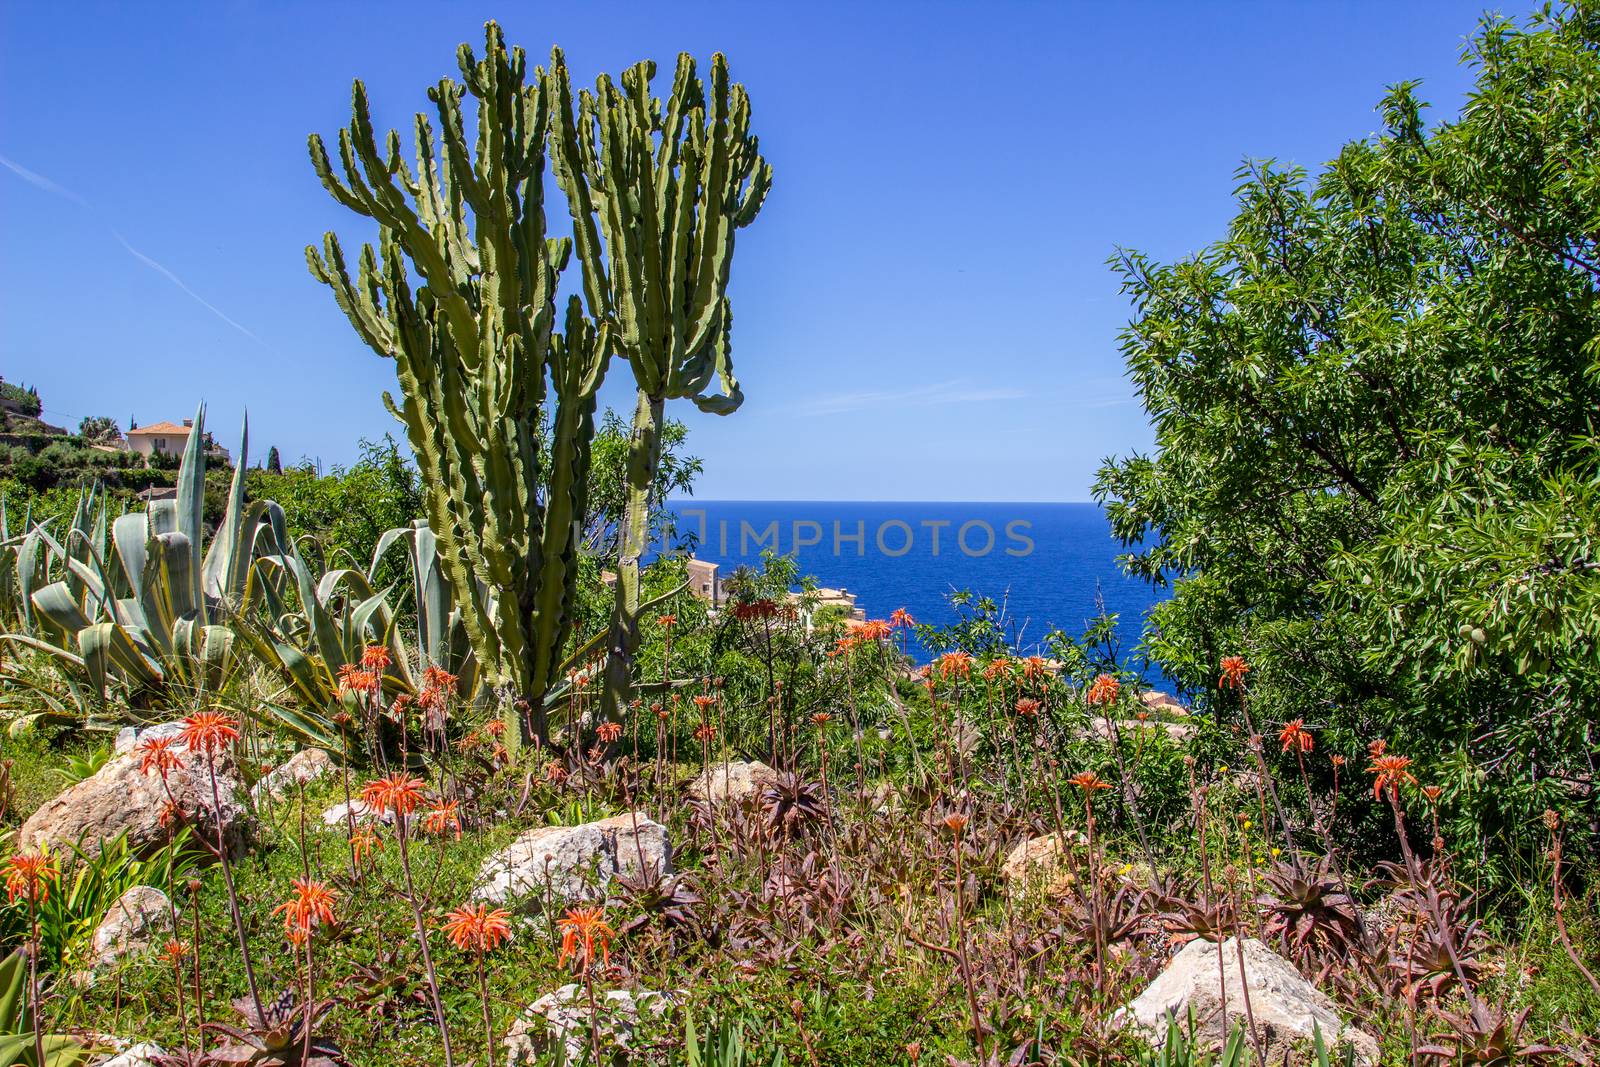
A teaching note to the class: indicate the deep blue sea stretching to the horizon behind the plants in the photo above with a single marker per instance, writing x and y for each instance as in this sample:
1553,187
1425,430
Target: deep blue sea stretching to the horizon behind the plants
1046,562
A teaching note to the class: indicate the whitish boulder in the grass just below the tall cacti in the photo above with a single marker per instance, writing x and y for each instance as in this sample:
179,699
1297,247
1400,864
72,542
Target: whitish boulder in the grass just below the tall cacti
574,863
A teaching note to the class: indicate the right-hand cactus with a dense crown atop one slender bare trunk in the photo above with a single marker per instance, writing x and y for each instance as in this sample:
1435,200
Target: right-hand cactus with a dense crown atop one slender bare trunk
657,194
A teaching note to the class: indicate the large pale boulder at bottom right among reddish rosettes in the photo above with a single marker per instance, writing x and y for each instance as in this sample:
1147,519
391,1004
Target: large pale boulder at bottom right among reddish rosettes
1286,1007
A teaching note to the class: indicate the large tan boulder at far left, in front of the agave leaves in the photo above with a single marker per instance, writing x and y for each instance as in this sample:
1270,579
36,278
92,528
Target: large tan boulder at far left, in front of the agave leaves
122,799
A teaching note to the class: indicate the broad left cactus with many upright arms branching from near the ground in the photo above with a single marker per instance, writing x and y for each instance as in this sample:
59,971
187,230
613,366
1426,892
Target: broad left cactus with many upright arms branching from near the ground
474,346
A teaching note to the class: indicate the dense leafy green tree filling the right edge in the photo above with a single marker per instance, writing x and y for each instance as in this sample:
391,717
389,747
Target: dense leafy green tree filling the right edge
1377,454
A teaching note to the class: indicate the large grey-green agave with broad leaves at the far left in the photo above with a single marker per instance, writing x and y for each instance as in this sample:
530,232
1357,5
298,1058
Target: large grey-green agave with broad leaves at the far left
148,607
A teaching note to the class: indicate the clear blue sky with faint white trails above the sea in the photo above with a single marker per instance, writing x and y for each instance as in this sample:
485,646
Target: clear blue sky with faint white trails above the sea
922,311
